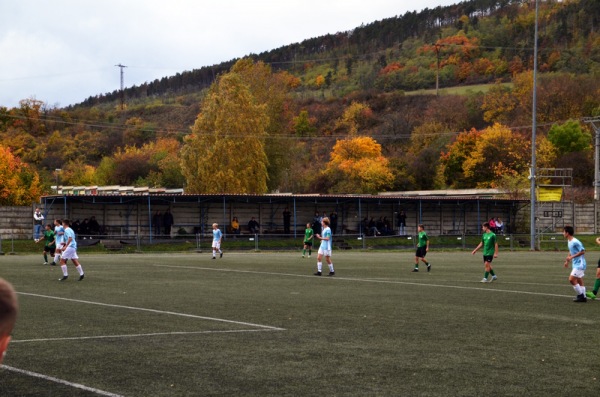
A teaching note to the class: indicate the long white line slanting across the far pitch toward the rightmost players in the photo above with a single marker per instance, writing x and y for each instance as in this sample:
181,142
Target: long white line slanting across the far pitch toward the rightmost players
370,280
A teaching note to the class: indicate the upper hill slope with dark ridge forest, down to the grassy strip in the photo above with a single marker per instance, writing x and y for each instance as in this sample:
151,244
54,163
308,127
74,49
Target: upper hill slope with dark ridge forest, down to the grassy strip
501,30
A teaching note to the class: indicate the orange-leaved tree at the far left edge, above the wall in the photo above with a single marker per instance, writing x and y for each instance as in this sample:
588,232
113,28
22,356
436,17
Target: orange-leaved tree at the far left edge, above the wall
19,185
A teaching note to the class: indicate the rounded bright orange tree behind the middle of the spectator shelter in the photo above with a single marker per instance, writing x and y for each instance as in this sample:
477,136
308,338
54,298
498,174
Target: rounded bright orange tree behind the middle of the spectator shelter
358,166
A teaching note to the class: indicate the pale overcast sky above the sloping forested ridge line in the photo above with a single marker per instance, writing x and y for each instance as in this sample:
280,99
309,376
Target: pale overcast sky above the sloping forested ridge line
64,51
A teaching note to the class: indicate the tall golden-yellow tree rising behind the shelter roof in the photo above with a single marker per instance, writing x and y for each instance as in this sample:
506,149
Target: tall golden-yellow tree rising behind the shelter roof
226,151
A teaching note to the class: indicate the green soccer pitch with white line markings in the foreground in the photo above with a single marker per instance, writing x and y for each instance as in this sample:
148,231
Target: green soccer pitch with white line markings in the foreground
261,324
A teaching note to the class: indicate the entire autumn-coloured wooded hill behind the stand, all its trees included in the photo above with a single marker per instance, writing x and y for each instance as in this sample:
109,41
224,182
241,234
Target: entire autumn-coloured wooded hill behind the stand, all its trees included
341,113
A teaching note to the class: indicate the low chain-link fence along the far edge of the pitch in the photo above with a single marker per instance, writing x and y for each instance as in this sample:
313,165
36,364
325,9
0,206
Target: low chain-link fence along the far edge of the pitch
10,244
